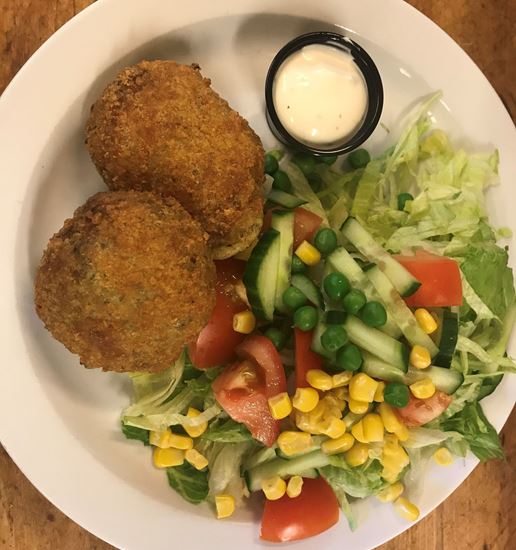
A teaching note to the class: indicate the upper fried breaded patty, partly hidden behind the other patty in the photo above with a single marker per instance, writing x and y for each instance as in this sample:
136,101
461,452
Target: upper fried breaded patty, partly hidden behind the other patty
160,127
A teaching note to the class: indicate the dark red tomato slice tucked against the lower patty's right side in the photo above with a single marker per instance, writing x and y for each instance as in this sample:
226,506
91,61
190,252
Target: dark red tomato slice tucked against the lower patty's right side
217,341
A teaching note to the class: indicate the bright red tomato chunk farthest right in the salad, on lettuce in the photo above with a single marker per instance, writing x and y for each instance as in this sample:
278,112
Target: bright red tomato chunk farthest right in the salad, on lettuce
440,280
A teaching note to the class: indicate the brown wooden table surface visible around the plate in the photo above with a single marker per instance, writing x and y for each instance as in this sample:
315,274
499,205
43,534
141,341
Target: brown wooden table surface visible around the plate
480,514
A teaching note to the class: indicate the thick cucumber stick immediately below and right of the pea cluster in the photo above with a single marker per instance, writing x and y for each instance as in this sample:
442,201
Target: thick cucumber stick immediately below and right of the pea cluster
378,343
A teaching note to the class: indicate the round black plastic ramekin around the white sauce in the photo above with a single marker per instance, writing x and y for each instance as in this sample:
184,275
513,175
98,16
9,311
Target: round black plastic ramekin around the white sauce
371,77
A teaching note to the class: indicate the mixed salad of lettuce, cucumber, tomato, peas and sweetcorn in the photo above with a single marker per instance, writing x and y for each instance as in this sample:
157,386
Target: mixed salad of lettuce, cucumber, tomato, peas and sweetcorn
375,313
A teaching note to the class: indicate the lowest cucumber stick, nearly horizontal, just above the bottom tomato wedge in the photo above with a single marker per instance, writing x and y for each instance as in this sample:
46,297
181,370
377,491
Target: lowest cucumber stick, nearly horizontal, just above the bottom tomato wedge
283,468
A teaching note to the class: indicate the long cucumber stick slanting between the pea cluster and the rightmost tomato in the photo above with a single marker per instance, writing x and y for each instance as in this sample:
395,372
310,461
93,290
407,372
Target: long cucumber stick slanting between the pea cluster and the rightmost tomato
399,310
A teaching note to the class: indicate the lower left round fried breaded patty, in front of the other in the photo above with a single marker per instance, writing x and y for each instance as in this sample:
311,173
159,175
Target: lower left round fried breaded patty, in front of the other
127,282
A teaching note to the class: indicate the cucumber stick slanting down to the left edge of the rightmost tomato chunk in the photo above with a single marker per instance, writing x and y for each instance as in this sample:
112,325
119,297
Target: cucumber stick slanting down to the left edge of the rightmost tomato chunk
405,283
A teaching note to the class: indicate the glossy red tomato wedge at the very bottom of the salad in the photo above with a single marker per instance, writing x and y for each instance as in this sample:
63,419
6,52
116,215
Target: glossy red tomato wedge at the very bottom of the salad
313,511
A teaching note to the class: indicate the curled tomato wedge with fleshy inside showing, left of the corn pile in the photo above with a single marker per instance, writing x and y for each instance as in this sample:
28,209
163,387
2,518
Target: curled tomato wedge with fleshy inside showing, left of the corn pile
243,389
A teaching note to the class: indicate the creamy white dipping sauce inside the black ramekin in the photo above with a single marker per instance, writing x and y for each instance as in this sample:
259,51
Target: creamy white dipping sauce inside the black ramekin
320,95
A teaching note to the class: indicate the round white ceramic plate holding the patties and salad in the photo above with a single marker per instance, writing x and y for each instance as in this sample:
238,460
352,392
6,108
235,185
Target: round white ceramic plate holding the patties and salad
59,421
